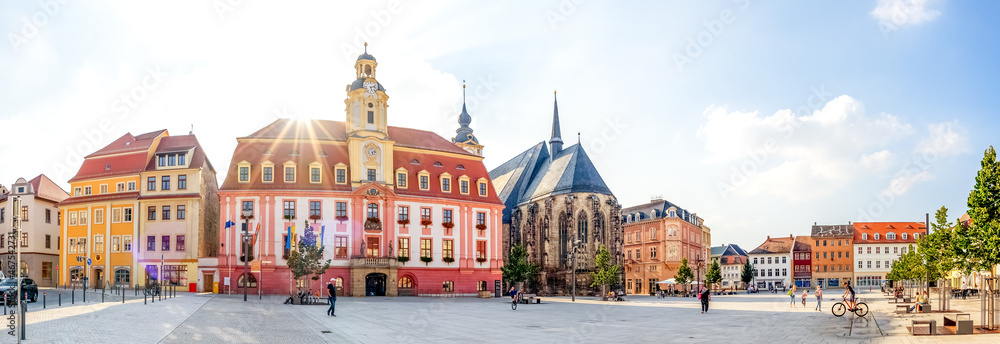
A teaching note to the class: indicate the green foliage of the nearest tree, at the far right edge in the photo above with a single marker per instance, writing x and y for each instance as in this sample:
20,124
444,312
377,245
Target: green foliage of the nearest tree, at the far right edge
979,242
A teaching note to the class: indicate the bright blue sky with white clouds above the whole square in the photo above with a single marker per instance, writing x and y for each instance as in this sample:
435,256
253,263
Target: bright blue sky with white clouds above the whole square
761,117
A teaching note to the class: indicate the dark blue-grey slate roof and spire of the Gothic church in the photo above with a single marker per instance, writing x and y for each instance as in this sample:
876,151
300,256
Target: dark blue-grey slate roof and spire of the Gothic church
539,172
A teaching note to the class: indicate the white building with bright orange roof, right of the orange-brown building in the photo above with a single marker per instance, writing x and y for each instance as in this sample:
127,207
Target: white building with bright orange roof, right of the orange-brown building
878,245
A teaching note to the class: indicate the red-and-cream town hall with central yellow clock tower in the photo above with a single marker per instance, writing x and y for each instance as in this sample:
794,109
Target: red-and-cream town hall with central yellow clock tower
399,211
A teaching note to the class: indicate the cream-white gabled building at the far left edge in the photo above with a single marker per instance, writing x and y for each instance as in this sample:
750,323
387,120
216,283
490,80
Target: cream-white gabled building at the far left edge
39,227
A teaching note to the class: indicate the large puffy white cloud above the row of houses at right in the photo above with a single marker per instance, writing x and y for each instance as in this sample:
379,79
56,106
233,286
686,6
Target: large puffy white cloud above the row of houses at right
801,157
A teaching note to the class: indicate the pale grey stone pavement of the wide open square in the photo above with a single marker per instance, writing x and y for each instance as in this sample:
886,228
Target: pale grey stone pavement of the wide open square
208,318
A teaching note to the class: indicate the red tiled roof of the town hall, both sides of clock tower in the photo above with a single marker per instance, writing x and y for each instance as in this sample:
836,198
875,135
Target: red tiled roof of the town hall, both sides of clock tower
330,154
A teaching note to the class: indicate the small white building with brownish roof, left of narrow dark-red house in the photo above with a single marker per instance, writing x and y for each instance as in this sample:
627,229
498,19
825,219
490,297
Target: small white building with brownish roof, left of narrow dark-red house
772,261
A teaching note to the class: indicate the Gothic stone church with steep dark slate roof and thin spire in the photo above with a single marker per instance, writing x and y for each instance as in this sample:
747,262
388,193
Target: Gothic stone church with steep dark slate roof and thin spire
556,203
